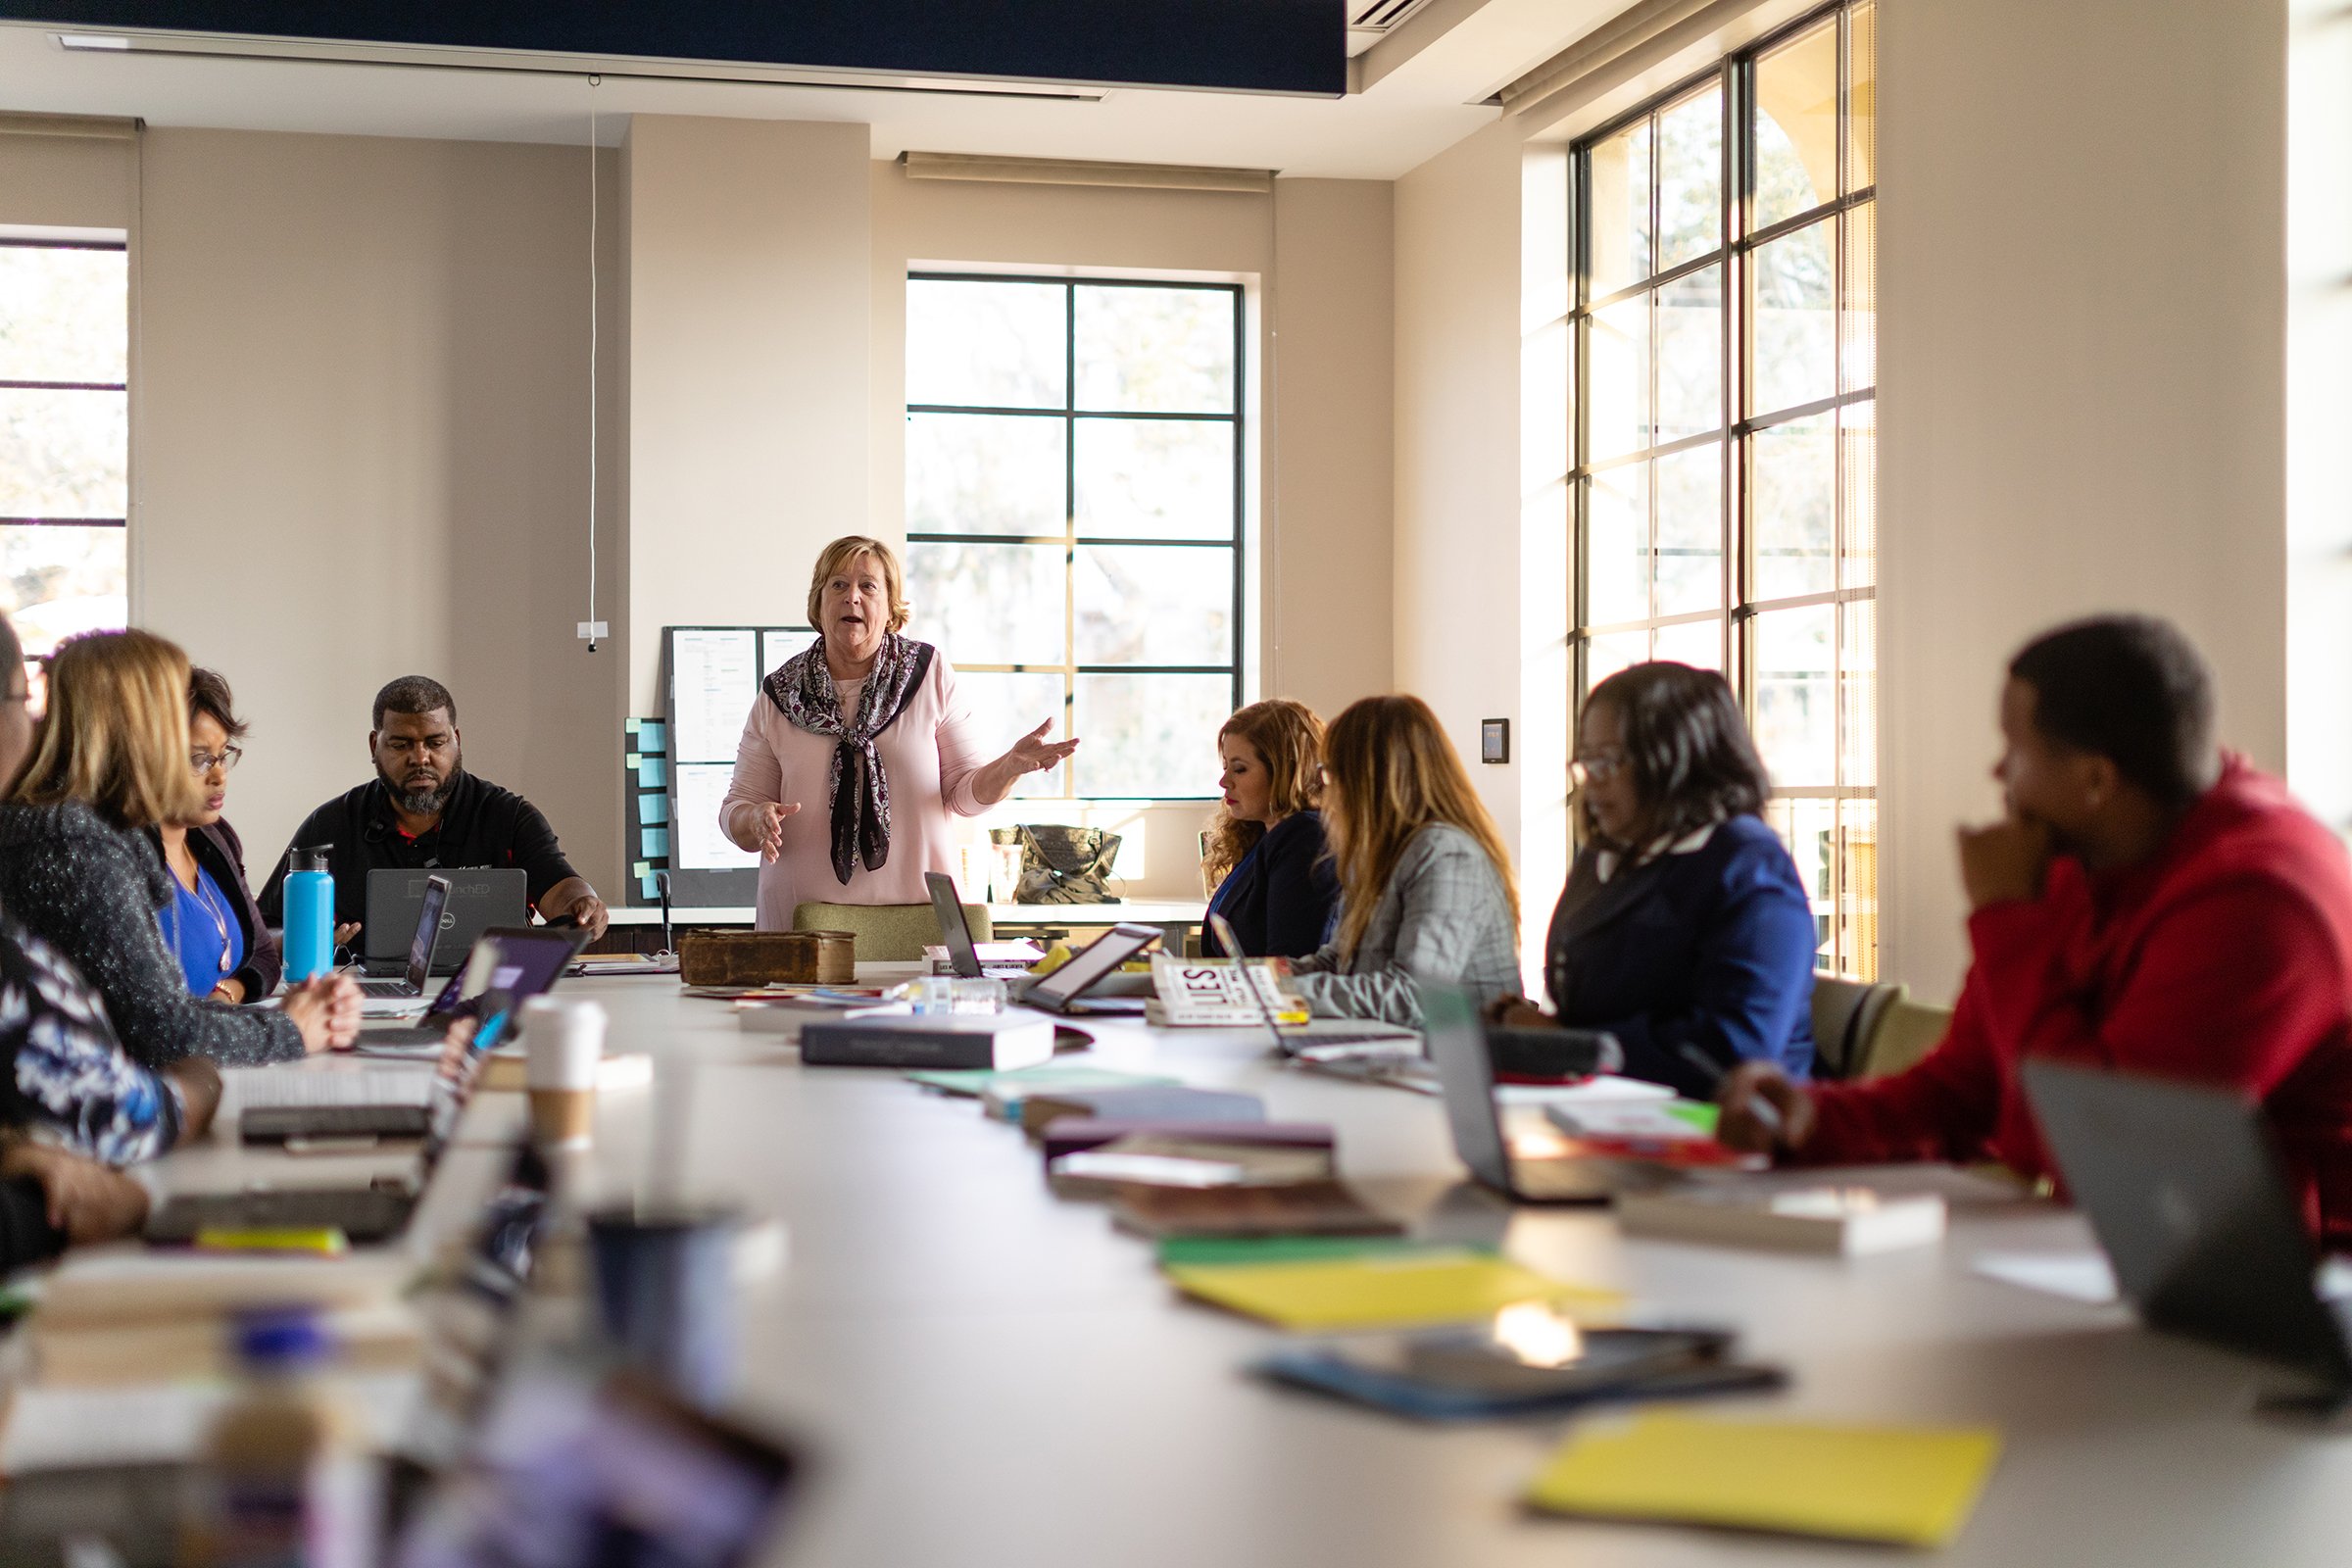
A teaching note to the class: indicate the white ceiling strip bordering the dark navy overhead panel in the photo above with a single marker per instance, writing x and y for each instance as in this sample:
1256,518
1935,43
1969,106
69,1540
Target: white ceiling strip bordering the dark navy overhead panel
1429,81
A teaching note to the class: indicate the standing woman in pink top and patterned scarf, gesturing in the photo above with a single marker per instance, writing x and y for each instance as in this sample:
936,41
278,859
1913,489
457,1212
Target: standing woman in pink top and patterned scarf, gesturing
867,725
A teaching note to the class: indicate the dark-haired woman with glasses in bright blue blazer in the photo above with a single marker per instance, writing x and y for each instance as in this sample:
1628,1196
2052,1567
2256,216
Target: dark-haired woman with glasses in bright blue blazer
1685,930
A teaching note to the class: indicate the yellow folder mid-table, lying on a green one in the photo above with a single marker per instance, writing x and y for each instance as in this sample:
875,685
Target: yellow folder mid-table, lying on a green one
1382,1289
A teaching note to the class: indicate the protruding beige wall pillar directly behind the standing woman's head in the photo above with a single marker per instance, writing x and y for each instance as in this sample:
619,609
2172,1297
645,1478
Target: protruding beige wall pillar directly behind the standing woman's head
749,354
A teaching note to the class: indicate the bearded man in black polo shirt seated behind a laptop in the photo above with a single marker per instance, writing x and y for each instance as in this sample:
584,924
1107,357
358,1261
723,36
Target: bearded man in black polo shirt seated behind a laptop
427,810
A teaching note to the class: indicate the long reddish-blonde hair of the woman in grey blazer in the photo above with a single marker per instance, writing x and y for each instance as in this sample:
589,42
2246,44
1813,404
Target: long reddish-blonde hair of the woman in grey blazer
1391,772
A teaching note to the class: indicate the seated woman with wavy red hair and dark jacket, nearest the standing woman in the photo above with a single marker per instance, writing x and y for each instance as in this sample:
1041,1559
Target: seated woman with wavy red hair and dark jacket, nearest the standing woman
1267,847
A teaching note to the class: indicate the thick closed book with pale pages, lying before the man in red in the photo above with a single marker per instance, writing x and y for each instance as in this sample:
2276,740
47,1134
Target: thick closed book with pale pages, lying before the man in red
1833,1221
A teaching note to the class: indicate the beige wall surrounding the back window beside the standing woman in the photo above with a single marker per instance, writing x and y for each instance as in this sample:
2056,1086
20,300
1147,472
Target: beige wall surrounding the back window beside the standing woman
1318,267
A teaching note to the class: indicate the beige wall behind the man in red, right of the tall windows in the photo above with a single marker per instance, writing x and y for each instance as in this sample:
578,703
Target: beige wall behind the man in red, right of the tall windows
2083,380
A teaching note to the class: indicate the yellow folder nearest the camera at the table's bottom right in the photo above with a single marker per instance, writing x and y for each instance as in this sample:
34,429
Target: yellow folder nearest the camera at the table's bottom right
1911,1487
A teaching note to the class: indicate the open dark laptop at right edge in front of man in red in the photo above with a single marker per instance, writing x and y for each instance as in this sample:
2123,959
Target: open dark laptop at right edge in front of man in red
2189,1200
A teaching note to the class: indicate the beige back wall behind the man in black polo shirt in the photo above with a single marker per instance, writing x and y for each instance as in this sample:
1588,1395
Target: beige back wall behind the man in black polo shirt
361,448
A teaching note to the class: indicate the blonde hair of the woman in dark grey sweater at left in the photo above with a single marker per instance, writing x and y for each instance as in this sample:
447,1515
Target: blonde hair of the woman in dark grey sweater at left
116,732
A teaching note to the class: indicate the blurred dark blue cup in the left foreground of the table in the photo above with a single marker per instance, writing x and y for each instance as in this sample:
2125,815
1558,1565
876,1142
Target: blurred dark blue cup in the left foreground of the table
664,1289
